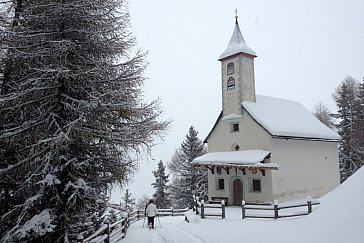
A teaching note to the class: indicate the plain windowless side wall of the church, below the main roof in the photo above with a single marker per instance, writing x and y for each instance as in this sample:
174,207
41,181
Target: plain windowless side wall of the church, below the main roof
306,168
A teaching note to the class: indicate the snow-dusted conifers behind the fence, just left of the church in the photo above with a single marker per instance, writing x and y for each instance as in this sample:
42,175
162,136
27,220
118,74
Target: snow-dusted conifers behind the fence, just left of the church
186,181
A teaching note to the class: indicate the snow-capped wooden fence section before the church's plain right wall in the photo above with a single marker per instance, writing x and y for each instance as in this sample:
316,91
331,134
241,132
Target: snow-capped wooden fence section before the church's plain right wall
276,209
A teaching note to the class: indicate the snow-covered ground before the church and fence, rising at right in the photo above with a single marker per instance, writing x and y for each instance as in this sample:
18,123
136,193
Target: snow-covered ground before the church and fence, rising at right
339,218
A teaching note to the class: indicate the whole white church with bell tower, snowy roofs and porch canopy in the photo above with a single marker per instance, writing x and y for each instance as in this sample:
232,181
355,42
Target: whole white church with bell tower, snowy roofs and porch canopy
263,148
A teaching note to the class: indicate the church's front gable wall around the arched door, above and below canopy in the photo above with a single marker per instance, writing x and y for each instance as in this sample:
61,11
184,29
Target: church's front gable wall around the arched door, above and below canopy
250,136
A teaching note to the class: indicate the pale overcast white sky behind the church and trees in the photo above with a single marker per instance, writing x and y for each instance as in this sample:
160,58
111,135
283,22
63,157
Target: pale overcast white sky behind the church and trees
305,49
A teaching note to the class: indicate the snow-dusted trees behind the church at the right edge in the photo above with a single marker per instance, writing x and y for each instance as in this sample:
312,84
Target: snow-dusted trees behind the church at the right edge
348,121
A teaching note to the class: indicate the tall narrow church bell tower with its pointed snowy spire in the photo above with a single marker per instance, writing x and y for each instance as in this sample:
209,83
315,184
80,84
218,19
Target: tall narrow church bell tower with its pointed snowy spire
237,73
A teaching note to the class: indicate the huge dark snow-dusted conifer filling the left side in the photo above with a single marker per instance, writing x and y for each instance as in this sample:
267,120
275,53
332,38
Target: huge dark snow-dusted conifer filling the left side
71,114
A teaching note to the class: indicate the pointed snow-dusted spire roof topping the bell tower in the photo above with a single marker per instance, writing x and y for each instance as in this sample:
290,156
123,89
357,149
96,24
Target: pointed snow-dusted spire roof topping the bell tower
237,44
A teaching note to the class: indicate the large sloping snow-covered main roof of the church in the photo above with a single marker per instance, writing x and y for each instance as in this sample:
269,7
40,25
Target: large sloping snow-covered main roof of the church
287,118
